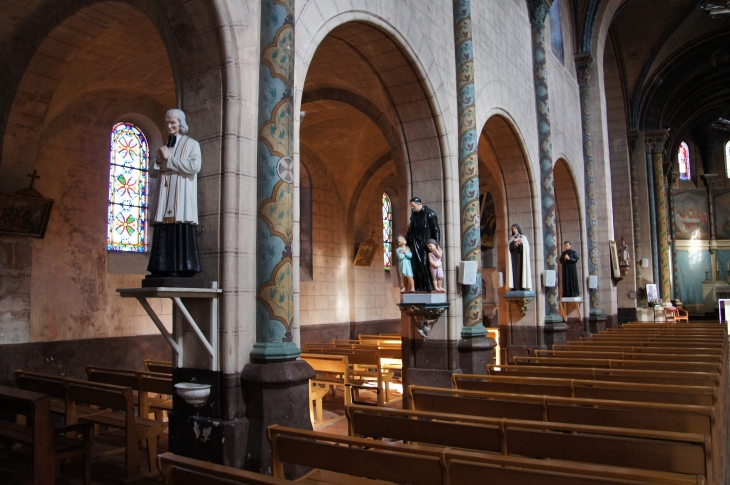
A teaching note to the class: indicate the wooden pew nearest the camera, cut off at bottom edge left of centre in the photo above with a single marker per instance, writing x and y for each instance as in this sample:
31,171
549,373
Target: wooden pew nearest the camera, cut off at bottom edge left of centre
181,470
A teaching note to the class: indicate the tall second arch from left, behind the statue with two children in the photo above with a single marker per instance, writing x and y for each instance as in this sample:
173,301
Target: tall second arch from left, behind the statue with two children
387,91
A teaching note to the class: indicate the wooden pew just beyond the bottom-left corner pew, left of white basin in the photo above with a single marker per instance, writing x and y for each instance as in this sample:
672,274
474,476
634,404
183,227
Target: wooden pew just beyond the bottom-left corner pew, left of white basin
114,399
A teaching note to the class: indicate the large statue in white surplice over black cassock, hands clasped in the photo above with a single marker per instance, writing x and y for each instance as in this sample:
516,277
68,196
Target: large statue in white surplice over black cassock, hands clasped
174,252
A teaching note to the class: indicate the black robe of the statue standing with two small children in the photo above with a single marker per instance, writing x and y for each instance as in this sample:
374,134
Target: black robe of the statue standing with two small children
423,226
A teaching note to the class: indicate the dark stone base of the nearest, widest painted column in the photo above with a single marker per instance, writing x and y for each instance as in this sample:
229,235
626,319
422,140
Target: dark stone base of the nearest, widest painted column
275,393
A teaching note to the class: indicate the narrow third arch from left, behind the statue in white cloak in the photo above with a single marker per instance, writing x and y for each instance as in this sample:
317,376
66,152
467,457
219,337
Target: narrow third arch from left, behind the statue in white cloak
502,157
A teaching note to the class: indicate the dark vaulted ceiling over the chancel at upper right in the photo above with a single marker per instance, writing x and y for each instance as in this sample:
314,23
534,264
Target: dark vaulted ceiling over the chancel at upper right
674,61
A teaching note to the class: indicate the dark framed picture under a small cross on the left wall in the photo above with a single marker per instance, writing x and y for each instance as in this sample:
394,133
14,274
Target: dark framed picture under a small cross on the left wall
23,216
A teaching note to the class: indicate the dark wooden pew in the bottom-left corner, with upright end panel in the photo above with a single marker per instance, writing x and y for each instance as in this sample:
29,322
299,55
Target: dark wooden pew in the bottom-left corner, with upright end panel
49,444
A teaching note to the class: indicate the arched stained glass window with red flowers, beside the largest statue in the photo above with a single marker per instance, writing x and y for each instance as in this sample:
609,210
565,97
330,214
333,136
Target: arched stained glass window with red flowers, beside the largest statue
126,219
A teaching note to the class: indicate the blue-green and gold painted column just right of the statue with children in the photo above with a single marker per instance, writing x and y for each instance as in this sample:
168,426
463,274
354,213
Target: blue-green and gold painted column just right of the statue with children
468,167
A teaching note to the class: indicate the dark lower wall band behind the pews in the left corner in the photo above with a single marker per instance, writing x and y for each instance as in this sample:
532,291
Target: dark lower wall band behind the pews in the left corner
69,358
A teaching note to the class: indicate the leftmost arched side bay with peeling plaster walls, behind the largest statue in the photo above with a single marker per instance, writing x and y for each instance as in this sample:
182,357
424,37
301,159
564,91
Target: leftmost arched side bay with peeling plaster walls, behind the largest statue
64,91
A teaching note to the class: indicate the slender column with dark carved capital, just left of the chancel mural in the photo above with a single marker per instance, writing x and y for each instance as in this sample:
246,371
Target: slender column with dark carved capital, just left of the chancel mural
657,142
